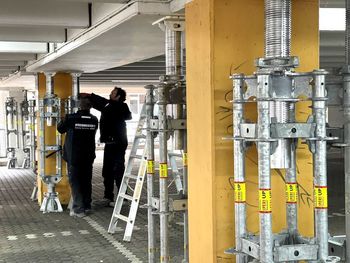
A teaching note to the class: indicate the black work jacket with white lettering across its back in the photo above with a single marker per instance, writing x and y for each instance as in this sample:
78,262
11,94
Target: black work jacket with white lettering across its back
79,146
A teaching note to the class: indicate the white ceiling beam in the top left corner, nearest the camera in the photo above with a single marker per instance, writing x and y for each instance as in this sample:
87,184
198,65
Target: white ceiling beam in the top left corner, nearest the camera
44,13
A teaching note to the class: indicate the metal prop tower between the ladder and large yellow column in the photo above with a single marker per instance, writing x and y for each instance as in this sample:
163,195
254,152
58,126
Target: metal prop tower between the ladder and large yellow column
169,97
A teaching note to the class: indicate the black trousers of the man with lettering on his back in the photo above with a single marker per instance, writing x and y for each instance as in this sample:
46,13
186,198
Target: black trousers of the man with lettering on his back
80,177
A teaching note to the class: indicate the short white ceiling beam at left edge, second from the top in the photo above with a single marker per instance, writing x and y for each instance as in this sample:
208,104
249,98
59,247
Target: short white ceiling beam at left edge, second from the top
33,34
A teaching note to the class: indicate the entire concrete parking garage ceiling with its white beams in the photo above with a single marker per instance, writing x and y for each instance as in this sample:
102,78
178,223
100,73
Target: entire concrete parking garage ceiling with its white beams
106,39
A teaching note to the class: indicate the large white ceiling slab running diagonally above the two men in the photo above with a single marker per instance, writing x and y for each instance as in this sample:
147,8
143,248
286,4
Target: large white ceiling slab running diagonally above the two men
127,36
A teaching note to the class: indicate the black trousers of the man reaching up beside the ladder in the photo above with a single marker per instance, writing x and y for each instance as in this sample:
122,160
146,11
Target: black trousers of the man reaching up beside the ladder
113,168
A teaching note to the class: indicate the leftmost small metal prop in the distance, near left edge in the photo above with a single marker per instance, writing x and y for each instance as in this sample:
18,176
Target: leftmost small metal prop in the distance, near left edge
12,132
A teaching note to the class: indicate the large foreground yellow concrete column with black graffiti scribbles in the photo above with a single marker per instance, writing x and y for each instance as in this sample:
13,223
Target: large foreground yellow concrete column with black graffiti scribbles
224,37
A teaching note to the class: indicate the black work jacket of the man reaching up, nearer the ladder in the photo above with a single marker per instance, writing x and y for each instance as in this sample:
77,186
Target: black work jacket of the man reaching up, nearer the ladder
112,122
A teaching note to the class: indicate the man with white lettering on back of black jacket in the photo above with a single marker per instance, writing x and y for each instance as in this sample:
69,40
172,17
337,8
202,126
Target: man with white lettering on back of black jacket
79,153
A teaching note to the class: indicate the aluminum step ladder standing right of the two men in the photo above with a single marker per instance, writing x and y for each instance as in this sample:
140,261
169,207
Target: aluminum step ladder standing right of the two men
129,177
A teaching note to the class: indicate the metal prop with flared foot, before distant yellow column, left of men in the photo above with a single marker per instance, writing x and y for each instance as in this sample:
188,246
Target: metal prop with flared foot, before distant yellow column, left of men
50,114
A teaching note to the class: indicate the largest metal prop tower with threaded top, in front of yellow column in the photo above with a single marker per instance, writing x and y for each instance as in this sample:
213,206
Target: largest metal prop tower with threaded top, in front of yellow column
276,88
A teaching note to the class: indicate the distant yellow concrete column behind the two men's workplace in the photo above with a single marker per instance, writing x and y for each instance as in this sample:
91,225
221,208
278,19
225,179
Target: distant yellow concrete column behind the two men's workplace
62,83
